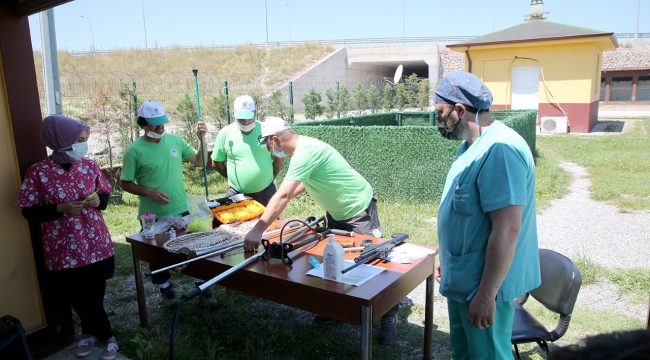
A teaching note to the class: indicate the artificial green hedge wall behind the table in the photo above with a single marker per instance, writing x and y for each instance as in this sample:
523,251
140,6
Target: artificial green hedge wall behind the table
403,163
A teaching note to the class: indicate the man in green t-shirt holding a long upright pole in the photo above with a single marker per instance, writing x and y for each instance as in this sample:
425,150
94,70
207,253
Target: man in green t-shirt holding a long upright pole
152,168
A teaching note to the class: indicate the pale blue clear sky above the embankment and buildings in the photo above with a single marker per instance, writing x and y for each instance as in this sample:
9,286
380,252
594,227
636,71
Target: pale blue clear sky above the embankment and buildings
125,24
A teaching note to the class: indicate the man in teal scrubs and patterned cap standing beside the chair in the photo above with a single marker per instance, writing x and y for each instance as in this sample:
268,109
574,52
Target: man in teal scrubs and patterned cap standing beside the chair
487,226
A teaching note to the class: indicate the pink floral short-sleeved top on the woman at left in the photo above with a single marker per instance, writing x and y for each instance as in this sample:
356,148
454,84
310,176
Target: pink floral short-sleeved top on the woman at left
71,241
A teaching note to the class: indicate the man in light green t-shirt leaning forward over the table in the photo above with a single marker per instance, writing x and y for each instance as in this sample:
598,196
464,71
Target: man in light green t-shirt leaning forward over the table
318,169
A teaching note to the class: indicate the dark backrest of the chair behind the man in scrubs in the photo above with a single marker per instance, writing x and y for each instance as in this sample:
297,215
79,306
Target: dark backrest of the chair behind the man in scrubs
561,281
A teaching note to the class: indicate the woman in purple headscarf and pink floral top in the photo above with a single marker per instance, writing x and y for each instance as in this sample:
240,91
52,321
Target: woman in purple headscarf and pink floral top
65,193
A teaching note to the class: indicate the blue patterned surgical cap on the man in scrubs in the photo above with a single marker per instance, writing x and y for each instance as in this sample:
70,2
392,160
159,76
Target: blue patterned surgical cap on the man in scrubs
465,88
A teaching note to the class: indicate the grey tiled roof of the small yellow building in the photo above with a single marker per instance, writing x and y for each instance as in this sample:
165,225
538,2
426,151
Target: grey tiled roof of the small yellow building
531,31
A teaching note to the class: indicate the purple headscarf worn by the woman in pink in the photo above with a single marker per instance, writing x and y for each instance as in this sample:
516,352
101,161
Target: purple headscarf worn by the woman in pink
59,132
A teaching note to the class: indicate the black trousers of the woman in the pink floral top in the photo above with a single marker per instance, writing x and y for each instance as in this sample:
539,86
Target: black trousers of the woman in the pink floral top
84,289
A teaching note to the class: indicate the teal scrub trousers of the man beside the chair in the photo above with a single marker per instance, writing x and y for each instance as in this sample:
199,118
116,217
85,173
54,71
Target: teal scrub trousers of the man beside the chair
468,342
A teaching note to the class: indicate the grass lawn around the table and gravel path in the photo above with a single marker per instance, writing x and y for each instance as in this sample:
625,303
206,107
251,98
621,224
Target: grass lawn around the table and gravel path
245,327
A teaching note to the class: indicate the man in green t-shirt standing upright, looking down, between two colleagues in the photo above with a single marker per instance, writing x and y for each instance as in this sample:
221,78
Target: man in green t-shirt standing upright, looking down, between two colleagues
250,169
